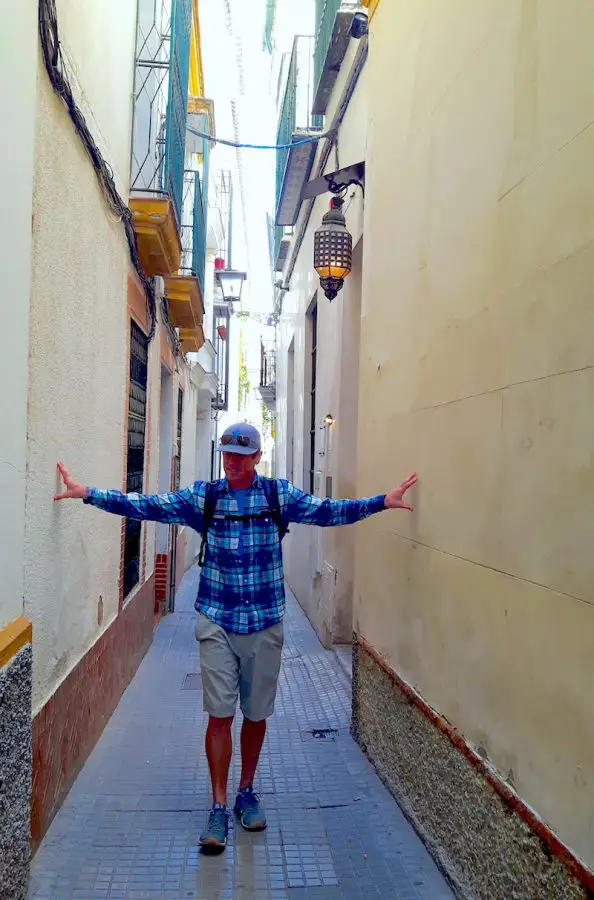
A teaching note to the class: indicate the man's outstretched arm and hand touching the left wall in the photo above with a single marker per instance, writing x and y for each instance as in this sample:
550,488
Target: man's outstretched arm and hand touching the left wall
176,508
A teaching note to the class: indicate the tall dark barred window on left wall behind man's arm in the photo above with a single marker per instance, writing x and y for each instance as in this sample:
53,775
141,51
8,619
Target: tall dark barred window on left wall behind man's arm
135,461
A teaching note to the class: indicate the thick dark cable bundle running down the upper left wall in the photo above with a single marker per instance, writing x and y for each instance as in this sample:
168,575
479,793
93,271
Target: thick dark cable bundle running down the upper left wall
54,64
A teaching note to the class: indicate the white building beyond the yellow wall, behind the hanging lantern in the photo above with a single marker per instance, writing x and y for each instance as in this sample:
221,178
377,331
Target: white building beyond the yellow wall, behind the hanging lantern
318,341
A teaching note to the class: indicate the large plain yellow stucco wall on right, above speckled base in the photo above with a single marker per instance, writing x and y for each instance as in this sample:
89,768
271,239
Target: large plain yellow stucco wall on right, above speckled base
477,370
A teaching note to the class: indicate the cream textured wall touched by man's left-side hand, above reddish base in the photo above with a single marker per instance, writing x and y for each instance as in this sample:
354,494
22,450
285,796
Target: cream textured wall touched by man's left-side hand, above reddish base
78,362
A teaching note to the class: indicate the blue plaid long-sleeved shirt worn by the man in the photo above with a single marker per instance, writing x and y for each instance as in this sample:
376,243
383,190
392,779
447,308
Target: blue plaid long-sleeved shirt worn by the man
241,592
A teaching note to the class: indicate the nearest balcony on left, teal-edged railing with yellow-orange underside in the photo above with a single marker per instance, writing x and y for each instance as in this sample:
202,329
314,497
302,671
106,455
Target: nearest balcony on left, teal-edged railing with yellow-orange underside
161,82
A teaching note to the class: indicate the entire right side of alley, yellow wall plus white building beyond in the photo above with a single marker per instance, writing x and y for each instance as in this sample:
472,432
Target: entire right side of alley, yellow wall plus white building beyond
467,329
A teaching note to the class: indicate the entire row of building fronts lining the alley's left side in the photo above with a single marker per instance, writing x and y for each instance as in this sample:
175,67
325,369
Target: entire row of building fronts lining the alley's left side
110,264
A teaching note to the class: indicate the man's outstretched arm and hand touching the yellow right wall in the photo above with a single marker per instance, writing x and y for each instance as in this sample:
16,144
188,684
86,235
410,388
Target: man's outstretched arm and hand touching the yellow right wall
310,510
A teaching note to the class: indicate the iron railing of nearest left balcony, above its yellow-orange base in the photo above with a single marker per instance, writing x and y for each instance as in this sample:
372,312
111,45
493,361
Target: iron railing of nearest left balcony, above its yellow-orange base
161,99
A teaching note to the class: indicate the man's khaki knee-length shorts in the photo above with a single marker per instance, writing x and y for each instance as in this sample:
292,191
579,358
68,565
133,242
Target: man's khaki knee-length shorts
239,665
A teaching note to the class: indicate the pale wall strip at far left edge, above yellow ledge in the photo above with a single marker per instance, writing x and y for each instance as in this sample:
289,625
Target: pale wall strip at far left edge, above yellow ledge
17,106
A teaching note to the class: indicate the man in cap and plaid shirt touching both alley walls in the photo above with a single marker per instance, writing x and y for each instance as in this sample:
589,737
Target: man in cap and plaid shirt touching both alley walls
241,599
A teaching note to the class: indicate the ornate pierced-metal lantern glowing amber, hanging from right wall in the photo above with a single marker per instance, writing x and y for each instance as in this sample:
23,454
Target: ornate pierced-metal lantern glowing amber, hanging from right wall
333,249
